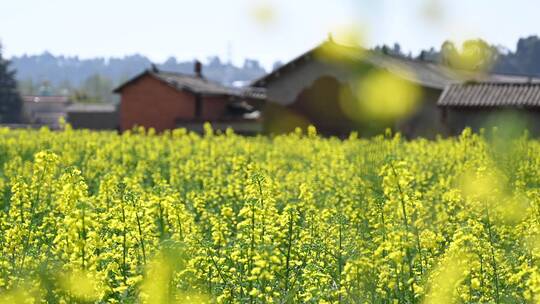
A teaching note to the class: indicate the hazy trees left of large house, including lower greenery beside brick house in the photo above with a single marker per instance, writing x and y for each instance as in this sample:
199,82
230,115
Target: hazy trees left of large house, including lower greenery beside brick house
92,80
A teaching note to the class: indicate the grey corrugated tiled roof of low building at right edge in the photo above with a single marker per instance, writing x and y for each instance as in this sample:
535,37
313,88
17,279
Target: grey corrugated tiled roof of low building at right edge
491,94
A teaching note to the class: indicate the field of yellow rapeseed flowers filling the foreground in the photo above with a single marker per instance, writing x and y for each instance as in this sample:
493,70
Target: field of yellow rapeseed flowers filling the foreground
96,217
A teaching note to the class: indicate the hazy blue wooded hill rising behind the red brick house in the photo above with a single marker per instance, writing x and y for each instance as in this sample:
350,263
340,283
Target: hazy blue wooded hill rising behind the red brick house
72,71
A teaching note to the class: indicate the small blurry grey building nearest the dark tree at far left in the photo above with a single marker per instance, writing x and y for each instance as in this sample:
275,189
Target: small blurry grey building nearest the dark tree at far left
44,110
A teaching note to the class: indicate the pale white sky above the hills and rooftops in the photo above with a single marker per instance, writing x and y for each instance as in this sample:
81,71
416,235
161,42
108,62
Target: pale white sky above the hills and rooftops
282,30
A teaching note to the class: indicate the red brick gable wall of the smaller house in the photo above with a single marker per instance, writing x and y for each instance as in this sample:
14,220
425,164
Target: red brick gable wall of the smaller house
151,103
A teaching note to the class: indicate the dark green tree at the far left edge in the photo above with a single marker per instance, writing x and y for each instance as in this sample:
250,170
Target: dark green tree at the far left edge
10,100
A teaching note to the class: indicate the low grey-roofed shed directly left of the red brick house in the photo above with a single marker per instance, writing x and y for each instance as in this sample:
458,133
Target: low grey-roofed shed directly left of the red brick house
93,116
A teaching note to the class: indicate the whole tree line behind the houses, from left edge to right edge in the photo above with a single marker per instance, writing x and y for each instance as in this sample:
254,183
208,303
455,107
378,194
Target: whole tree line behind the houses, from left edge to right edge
92,80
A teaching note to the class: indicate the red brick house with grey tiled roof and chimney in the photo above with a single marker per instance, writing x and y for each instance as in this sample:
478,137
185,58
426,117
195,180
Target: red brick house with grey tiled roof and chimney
167,100
